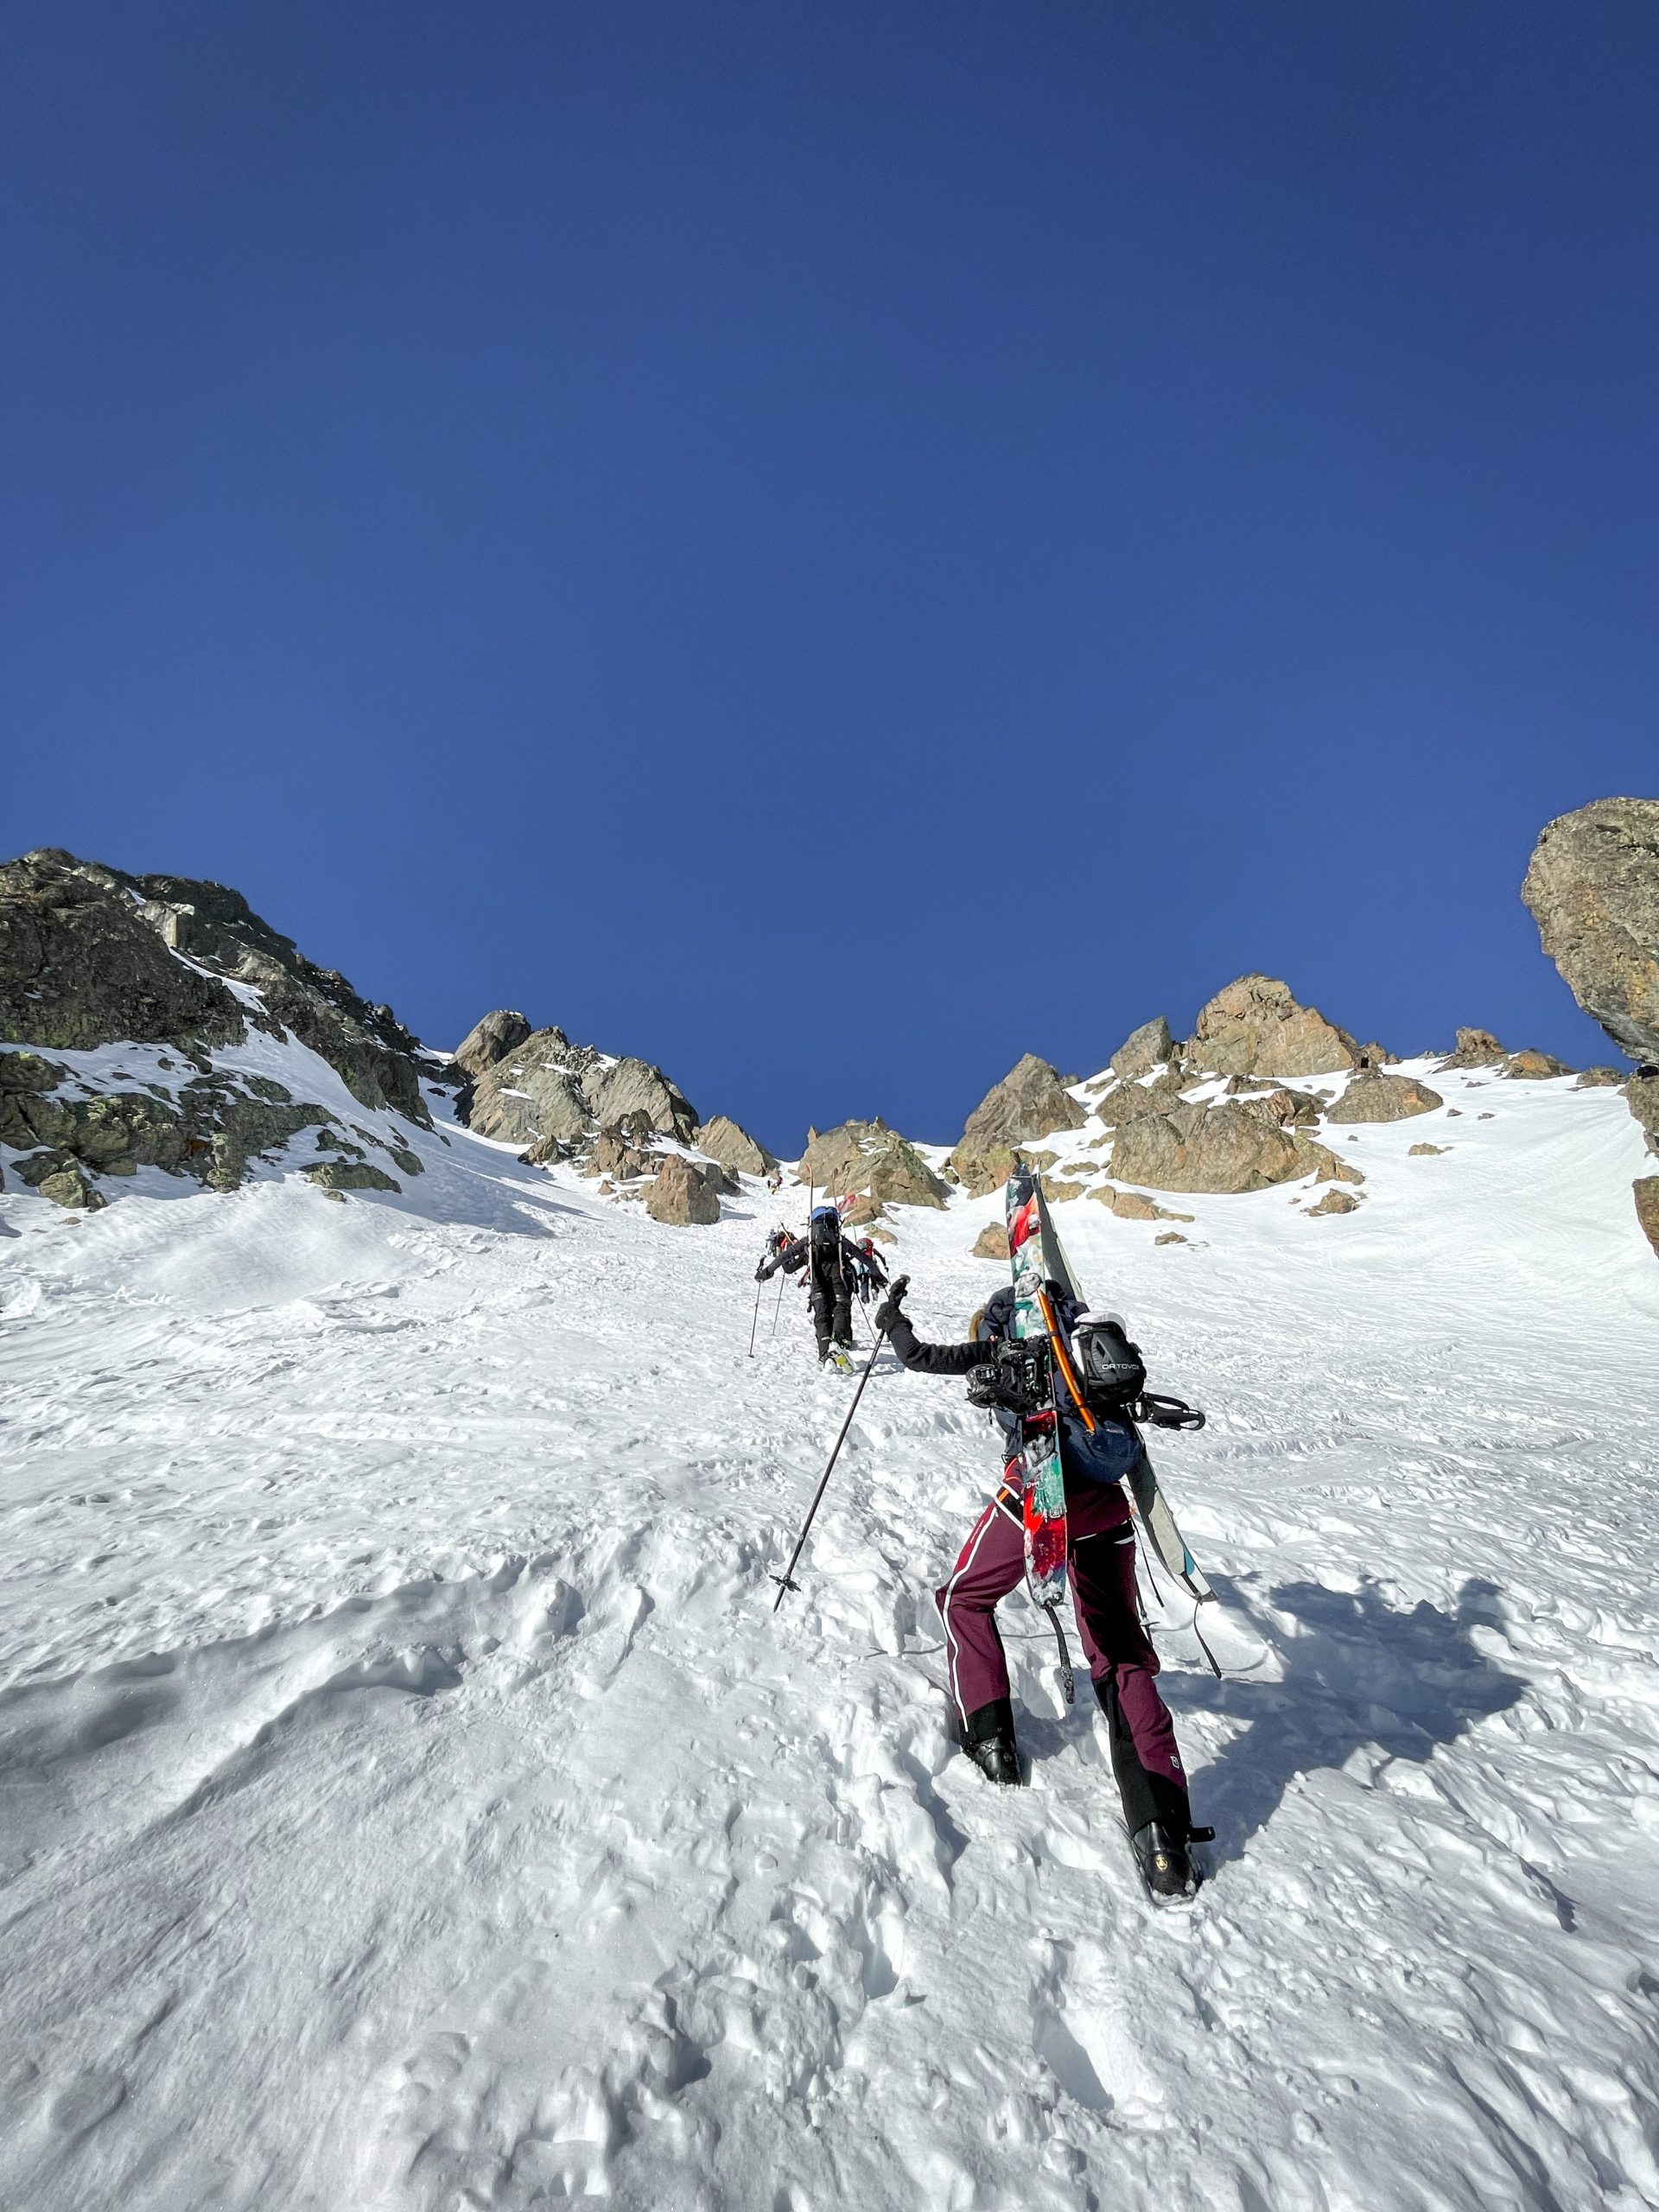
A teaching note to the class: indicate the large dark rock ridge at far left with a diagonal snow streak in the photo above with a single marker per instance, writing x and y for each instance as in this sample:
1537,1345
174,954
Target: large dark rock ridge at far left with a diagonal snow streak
96,957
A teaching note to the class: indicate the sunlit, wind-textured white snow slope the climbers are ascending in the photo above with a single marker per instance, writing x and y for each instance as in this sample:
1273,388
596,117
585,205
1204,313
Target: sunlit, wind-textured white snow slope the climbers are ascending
410,1797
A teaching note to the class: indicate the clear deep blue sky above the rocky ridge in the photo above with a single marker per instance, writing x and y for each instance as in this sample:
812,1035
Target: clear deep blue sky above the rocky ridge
837,545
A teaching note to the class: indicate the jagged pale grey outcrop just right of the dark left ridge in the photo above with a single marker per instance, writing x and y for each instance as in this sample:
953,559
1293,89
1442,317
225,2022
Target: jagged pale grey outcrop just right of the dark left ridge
556,1098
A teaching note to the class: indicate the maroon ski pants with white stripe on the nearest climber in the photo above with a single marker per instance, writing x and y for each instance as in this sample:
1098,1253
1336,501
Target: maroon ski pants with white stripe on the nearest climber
1120,1656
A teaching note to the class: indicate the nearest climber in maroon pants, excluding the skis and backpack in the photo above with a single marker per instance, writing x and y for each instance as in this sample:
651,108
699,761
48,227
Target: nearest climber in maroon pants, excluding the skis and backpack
1100,1554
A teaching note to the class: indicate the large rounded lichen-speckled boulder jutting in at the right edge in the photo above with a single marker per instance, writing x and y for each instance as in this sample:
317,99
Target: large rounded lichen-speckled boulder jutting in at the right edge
1594,890
